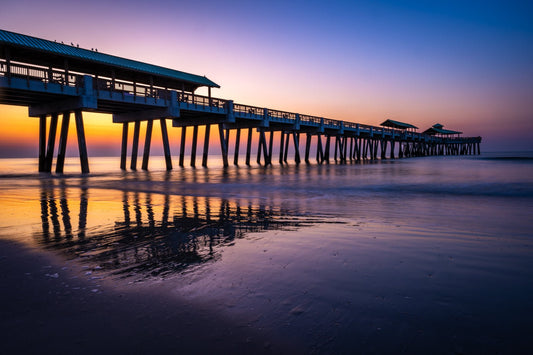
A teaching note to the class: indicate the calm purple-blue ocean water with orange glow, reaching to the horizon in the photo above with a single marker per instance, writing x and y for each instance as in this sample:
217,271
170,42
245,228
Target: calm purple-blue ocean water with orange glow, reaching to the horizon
419,255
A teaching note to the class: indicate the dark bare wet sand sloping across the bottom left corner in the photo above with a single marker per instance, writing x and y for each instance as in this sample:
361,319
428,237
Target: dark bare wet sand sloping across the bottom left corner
46,306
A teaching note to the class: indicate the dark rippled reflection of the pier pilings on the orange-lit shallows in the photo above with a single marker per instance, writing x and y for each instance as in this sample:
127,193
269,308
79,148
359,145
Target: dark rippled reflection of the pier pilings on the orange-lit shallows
154,234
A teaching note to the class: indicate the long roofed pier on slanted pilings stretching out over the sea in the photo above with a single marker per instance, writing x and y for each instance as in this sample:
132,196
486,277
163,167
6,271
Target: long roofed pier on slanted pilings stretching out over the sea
56,80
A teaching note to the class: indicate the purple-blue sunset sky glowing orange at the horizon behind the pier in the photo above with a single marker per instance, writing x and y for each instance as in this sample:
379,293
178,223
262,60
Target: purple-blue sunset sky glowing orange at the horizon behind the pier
466,65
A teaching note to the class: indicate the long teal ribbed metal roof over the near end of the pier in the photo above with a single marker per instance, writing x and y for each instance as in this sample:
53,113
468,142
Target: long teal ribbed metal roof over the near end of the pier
70,51
